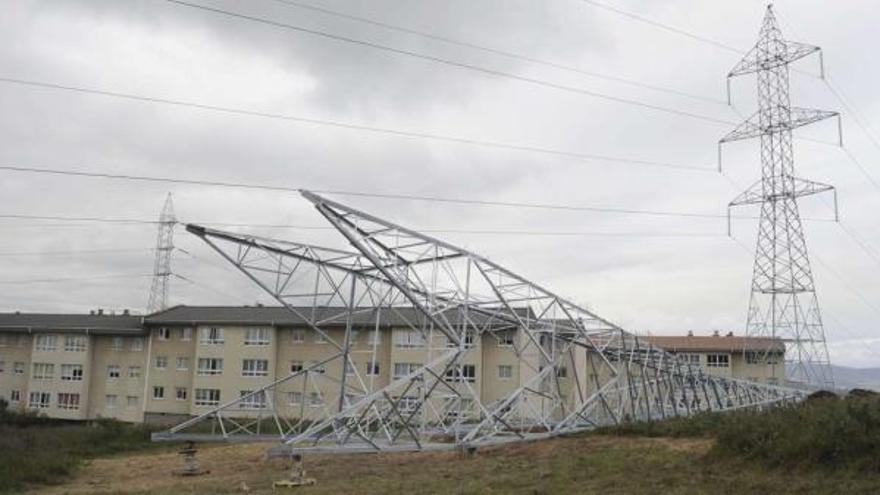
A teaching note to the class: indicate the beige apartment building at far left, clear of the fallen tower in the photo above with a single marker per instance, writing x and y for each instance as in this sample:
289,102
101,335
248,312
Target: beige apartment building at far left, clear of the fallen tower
73,366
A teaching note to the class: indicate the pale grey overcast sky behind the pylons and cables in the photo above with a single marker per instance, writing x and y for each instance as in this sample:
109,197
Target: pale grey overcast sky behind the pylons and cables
697,279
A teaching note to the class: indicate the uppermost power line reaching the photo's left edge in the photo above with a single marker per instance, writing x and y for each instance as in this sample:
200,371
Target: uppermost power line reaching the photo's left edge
355,127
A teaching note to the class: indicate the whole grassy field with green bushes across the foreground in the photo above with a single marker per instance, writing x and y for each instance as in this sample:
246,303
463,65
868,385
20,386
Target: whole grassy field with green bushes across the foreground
826,446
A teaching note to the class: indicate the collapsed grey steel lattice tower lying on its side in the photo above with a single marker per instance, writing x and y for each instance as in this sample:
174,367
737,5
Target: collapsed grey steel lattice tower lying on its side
575,370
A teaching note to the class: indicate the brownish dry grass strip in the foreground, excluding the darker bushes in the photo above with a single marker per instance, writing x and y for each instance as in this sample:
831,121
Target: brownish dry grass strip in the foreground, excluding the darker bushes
588,464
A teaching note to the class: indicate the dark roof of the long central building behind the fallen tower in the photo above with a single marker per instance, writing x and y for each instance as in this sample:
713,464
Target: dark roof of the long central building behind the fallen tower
277,315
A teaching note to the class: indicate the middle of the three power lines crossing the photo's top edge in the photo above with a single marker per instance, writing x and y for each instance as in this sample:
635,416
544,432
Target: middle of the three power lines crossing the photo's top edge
496,51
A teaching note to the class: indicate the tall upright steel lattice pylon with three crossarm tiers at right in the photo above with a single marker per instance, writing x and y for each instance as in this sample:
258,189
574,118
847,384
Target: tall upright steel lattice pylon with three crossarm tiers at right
783,301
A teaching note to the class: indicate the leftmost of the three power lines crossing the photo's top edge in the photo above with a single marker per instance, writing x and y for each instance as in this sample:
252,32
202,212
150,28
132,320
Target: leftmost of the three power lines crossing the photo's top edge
452,63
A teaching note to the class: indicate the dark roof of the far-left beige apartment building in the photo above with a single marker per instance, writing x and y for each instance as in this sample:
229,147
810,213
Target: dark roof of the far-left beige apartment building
99,324
